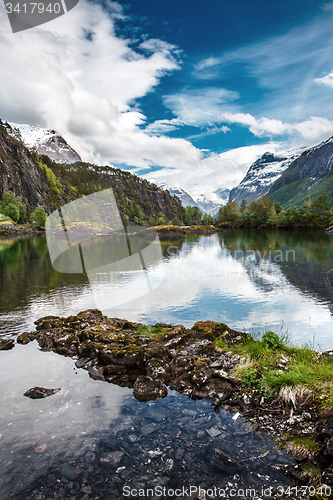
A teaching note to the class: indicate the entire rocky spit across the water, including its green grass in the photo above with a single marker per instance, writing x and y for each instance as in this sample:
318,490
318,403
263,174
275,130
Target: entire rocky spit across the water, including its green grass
281,389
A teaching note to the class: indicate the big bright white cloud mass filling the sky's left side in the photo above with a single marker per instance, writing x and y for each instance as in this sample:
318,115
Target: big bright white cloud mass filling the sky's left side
76,76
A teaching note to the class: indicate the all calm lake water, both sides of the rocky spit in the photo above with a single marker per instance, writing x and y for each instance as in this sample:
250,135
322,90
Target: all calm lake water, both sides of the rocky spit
52,448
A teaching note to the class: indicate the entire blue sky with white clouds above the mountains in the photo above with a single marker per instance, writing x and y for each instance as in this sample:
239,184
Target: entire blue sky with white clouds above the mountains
186,93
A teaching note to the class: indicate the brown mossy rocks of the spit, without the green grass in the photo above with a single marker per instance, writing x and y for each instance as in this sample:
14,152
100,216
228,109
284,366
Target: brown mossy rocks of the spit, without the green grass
151,359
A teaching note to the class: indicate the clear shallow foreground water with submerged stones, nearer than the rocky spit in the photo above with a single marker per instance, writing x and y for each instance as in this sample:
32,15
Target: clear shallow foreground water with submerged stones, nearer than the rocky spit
95,438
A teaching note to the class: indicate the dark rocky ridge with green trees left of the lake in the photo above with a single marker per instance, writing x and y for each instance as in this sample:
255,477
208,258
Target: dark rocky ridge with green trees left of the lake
40,181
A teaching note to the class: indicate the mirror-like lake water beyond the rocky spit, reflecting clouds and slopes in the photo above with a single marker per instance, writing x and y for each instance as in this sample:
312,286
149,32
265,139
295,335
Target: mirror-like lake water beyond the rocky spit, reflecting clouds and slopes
233,277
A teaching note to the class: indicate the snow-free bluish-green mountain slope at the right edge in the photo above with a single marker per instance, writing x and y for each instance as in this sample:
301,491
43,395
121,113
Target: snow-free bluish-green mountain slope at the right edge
311,173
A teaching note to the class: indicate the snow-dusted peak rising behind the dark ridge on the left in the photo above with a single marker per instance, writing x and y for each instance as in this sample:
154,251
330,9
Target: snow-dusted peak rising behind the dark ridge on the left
45,141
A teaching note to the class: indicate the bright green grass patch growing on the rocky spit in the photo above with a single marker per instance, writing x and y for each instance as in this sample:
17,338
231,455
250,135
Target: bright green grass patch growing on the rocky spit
274,367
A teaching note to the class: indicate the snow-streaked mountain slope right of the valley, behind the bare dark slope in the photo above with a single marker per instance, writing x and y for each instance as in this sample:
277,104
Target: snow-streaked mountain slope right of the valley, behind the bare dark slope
262,174
